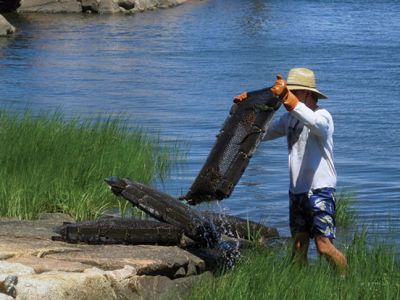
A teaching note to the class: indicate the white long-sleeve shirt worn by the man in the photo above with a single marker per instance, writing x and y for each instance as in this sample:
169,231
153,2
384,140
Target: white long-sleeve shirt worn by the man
310,144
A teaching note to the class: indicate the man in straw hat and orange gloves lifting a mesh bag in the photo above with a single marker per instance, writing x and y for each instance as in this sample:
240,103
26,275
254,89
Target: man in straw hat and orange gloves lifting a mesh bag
309,131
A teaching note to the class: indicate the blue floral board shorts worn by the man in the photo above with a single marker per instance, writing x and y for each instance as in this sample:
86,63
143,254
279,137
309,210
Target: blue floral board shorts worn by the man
313,212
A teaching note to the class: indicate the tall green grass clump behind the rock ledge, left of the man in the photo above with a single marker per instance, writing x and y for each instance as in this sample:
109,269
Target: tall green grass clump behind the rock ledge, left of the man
49,164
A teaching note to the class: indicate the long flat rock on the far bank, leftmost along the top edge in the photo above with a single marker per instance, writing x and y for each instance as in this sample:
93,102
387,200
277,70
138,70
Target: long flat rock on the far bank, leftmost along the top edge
50,6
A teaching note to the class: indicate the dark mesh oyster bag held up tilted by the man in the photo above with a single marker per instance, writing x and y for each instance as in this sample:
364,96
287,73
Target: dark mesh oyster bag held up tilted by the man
236,142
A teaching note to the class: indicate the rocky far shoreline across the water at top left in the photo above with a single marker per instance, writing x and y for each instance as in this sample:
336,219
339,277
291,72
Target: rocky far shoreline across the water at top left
78,6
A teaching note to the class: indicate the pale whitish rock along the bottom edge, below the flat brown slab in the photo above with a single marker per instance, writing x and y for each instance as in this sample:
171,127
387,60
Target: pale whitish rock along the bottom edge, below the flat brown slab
97,284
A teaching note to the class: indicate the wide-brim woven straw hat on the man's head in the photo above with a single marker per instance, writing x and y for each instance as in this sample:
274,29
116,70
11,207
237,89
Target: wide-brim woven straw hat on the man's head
303,79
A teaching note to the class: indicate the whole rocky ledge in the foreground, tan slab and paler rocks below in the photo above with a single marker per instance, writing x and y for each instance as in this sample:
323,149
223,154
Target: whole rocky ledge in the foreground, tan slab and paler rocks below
32,266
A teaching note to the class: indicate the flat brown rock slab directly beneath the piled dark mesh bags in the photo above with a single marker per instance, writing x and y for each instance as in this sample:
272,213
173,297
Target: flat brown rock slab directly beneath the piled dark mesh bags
29,242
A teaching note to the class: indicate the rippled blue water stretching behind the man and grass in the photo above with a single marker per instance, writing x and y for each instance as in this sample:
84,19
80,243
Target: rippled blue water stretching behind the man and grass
176,71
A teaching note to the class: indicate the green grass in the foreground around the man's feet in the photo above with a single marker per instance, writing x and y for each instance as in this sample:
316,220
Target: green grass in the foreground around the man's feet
266,274
